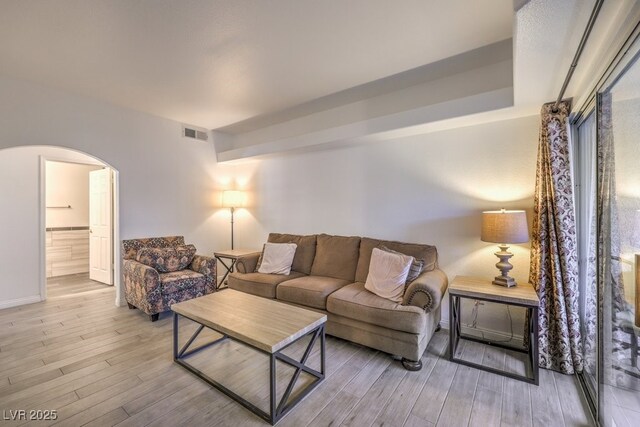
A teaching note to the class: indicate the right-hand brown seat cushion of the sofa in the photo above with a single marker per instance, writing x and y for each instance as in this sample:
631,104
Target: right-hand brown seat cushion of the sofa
355,302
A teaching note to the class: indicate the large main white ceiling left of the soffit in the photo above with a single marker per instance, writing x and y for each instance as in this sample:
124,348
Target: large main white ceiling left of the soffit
214,63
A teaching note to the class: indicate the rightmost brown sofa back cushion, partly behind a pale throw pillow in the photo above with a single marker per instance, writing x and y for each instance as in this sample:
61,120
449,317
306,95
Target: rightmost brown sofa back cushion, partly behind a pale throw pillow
426,253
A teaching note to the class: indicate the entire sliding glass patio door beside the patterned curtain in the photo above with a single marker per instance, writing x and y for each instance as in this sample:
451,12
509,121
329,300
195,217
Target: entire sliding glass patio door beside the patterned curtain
607,180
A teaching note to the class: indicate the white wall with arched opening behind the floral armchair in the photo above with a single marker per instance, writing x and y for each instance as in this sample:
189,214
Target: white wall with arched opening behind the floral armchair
167,184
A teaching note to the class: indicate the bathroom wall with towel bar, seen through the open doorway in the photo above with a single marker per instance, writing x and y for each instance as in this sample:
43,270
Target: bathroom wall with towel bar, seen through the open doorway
67,184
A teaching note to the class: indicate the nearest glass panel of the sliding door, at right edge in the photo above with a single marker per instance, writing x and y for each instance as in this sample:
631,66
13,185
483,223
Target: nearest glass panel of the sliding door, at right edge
619,245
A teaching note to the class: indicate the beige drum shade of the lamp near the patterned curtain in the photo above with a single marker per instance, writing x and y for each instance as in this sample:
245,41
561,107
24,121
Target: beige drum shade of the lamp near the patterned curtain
504,227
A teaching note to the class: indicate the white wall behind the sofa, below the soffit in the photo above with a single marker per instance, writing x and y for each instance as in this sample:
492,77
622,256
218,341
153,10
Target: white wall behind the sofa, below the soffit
426,189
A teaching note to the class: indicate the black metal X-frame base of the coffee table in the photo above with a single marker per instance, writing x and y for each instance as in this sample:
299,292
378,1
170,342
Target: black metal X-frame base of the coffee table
276,409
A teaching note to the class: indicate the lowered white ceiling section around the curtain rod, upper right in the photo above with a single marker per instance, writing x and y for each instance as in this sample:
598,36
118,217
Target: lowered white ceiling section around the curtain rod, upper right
546,36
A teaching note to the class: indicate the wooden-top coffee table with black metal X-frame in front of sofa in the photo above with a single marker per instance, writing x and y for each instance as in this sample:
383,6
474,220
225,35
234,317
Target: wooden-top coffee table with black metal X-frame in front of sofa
267,326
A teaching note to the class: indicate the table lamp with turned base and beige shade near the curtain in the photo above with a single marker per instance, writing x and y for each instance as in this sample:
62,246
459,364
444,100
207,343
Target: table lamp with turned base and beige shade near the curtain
504,227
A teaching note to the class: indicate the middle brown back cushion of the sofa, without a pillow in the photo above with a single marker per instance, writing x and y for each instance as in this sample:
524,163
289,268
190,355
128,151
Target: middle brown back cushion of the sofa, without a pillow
336,256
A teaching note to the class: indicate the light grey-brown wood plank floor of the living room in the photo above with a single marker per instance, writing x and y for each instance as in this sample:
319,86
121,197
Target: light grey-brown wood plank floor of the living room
100,365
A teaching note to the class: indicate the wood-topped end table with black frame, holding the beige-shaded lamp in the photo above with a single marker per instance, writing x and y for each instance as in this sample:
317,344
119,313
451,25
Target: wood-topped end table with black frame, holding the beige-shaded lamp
522,295
